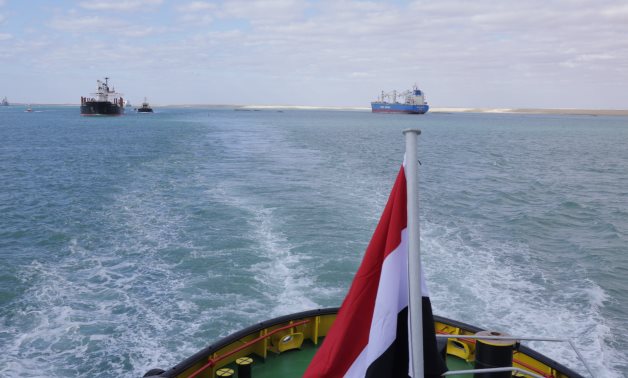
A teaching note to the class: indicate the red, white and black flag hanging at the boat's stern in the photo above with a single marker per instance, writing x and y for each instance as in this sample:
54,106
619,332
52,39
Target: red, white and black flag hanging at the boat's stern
369,337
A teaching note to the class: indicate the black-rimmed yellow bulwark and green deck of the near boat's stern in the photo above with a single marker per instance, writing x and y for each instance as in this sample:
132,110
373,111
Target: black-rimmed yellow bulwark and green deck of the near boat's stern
266,344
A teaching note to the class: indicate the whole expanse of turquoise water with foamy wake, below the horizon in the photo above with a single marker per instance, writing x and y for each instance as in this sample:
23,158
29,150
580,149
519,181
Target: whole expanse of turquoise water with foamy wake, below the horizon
129,243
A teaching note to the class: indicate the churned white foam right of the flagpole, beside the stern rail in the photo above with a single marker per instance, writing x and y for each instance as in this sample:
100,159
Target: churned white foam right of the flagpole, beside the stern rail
496,286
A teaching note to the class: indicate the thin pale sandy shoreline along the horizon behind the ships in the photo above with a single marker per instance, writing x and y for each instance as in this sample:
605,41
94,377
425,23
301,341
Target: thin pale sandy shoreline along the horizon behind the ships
590,112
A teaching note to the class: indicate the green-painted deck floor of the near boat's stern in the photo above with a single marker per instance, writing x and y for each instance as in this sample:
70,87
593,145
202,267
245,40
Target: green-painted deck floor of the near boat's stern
293,363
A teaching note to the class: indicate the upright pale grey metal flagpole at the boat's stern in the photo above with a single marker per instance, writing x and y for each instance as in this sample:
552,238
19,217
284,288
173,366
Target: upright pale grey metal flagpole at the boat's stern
414,255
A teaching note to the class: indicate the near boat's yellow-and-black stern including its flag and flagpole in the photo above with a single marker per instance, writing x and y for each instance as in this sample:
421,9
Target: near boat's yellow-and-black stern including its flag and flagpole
379,330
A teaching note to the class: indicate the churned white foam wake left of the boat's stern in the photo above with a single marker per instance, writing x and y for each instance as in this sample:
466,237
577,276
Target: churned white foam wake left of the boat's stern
112,310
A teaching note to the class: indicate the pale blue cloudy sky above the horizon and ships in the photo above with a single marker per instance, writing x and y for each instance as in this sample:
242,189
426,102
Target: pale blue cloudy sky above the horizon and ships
480,53
